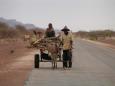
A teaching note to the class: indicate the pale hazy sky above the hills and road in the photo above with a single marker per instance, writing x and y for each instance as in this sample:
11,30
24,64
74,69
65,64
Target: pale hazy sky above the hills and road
76,14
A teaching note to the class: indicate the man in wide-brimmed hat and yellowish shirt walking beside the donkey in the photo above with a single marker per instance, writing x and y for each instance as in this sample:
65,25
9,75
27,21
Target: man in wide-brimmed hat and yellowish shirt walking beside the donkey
67,41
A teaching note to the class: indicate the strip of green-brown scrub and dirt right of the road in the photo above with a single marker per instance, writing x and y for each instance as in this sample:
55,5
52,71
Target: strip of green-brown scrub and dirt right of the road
105,36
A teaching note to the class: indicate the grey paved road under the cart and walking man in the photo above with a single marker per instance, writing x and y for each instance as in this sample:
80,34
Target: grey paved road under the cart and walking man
93,65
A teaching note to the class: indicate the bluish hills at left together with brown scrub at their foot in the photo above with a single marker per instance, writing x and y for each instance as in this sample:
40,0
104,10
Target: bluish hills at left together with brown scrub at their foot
11,28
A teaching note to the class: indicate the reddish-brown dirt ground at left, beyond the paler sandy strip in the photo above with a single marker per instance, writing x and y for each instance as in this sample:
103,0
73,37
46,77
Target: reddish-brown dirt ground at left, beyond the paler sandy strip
10,50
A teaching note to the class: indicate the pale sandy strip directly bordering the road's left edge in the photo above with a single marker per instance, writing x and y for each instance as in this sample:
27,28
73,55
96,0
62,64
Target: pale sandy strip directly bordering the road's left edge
15,73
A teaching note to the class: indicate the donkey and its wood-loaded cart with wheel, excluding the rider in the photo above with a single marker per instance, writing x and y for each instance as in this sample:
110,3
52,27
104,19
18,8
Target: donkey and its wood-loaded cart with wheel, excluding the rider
53,48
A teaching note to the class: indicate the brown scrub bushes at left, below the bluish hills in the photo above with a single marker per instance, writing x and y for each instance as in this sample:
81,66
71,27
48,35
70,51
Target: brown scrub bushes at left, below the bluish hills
18,32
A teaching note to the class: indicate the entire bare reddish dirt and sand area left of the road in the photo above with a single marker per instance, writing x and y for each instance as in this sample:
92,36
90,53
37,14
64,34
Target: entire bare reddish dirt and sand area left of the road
16,62
